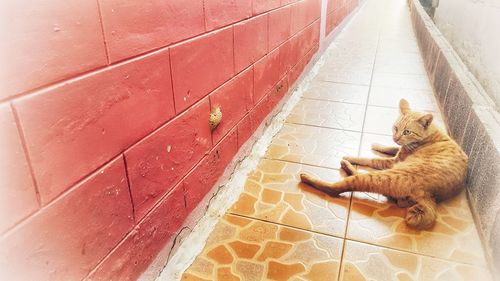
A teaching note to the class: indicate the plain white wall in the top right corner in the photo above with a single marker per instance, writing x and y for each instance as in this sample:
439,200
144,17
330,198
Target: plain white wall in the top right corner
473,29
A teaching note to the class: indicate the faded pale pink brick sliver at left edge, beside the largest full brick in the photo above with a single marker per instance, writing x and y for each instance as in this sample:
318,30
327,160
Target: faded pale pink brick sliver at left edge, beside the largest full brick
18,198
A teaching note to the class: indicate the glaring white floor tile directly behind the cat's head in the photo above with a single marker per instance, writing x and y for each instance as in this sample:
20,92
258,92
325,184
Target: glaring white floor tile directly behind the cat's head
379,120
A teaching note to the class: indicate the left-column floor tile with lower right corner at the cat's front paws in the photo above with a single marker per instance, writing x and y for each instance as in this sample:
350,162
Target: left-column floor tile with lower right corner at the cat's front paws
313,145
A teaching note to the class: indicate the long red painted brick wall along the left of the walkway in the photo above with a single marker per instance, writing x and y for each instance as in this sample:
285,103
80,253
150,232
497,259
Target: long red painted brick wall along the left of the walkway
104,111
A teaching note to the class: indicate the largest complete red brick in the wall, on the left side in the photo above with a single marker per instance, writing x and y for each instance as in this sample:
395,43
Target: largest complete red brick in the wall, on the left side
74,128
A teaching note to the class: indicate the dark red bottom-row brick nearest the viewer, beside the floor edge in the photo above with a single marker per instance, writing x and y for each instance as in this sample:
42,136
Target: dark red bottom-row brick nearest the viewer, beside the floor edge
136,252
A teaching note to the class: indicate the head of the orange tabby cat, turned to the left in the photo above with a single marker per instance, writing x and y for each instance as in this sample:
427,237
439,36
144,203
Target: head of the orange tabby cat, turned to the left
411,127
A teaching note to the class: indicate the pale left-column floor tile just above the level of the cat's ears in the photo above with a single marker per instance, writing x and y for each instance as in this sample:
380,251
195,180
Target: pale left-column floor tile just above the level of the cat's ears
337,92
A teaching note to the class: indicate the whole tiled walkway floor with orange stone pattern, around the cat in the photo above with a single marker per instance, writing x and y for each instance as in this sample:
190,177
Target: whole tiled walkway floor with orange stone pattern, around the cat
280,229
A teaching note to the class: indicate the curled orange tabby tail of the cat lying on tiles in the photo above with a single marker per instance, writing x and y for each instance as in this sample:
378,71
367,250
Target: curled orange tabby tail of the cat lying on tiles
422,215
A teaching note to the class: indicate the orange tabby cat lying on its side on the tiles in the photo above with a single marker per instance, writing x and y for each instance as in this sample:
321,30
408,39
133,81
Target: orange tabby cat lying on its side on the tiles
427,168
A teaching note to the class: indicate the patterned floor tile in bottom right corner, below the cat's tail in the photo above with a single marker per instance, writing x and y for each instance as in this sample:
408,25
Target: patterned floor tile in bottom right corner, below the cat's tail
367,262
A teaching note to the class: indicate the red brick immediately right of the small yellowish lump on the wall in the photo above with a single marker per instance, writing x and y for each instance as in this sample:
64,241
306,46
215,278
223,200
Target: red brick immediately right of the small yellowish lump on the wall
235,100
